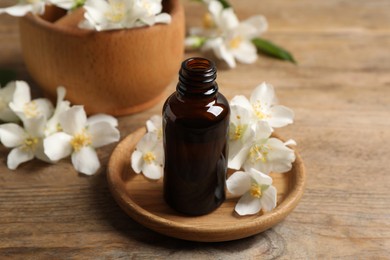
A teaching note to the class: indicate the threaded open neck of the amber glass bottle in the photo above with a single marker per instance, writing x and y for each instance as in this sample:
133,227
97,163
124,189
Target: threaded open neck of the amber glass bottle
197,78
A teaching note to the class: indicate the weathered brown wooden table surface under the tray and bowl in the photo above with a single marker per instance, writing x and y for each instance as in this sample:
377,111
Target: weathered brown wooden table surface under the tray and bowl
340,92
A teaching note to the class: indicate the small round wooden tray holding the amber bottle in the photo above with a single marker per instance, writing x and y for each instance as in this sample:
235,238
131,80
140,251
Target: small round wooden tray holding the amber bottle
143,201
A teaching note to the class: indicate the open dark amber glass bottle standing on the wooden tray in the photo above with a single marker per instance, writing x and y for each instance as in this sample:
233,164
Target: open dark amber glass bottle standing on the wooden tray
195,125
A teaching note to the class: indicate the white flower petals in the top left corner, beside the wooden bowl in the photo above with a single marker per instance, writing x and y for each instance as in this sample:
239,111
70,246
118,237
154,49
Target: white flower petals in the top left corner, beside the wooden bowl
25,6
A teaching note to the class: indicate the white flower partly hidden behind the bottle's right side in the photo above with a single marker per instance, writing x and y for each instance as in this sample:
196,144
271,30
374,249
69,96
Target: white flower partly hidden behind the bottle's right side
241,134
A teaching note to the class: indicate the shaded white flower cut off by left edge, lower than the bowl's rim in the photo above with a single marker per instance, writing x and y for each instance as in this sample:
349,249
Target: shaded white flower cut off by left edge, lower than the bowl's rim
6,96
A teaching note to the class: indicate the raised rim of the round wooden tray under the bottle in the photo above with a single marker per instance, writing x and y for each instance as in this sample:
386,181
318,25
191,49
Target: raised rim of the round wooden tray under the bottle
152,221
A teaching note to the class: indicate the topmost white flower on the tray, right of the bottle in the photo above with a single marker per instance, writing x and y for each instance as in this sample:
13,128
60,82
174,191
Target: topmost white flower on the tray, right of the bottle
263,104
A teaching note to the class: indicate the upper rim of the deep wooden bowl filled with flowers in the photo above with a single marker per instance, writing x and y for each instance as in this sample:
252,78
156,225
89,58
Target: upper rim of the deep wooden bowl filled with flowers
175,10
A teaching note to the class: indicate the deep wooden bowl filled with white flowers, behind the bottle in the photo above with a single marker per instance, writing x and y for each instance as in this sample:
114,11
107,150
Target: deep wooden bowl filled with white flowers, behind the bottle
116,72
